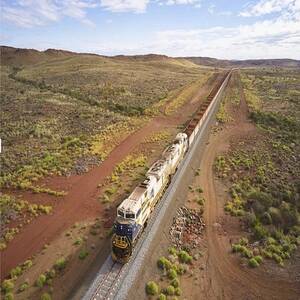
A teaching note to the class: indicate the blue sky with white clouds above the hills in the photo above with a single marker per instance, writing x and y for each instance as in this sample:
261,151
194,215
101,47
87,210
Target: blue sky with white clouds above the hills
232,29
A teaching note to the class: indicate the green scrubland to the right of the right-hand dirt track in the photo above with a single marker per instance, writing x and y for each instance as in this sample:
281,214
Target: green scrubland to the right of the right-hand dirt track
263,172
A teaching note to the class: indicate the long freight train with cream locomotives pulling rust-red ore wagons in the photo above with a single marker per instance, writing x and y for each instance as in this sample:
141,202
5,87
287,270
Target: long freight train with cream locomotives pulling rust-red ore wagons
134,212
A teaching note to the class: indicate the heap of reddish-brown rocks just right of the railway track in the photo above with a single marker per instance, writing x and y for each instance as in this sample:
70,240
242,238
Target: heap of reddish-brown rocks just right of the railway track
186,228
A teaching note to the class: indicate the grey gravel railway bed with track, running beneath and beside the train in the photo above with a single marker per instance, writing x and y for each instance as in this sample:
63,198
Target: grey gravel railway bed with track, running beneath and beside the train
113,279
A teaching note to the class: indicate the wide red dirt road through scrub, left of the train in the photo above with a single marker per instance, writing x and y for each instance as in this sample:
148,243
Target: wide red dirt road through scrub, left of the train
81,201
